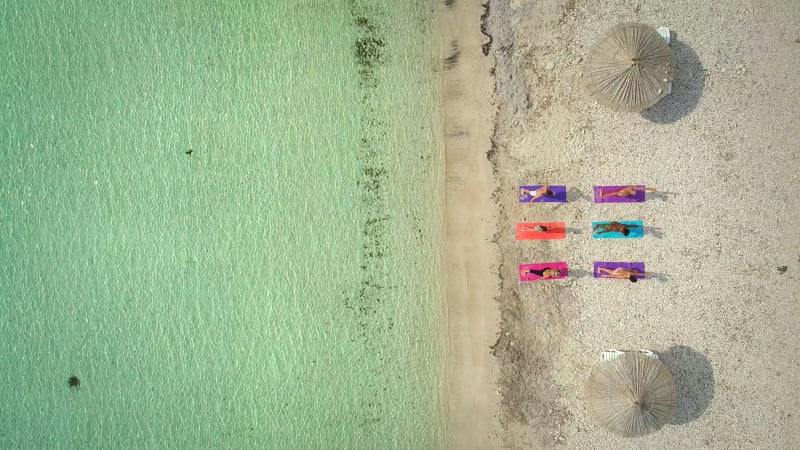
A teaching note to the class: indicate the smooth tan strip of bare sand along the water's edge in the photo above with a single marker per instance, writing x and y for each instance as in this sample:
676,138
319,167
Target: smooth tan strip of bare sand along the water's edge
470,220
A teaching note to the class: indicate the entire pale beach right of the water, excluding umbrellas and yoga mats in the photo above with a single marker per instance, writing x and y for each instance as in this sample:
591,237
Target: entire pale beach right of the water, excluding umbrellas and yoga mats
722,236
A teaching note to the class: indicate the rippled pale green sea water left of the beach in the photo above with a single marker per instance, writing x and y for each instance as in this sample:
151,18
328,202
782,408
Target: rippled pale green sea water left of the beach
225,219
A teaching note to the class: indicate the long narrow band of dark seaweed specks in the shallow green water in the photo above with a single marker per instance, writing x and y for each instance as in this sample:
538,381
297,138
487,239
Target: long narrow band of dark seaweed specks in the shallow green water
370,301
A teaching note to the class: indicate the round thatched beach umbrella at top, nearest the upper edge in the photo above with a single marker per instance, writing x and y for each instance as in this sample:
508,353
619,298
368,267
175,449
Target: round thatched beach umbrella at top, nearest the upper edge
630,68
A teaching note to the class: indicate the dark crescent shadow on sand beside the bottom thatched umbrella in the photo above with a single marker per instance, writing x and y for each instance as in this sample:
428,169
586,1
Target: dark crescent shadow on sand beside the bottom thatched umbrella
694,382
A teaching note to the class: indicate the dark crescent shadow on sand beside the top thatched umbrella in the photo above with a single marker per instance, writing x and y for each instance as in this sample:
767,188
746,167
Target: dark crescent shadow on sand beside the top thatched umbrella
687,87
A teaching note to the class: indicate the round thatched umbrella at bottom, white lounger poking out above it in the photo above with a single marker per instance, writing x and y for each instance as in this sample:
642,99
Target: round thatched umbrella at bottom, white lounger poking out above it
632,395
